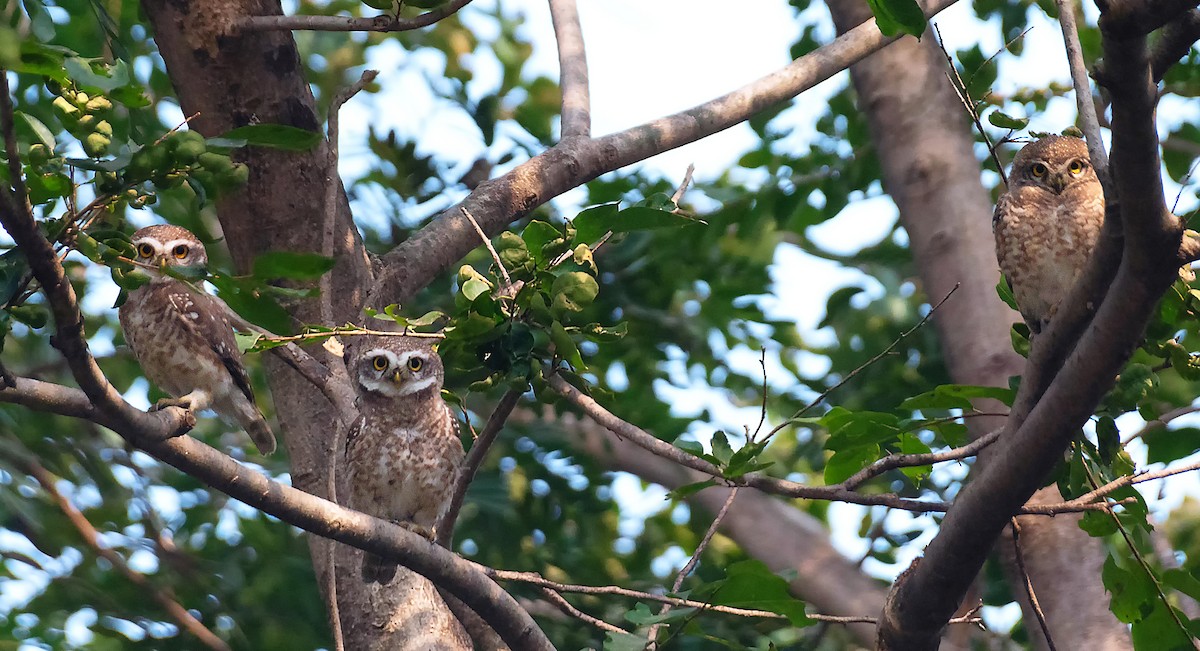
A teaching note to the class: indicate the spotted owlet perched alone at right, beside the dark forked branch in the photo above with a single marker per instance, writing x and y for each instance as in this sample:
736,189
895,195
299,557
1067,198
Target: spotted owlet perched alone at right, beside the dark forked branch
1047,225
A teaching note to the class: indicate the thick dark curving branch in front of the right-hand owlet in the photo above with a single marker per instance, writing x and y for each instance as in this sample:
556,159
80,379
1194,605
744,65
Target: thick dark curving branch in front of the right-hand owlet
926,596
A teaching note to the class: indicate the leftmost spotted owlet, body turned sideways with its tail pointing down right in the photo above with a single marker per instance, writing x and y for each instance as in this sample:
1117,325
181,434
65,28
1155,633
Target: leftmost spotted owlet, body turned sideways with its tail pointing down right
183,338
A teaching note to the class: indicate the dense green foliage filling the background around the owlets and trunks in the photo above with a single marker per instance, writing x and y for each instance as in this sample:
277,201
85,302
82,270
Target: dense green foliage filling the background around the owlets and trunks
677,300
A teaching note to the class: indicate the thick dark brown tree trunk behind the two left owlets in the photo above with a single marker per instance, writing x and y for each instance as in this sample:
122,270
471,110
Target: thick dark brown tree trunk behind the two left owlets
233,81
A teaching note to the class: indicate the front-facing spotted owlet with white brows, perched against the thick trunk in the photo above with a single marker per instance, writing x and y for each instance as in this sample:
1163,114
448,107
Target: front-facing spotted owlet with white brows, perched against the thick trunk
403,452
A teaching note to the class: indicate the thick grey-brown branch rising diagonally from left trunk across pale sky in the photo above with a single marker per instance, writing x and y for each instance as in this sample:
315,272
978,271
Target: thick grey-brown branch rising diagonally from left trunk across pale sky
497,202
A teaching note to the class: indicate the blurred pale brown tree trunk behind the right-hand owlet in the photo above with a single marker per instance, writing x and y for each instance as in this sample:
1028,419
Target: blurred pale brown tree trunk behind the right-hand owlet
925,144
